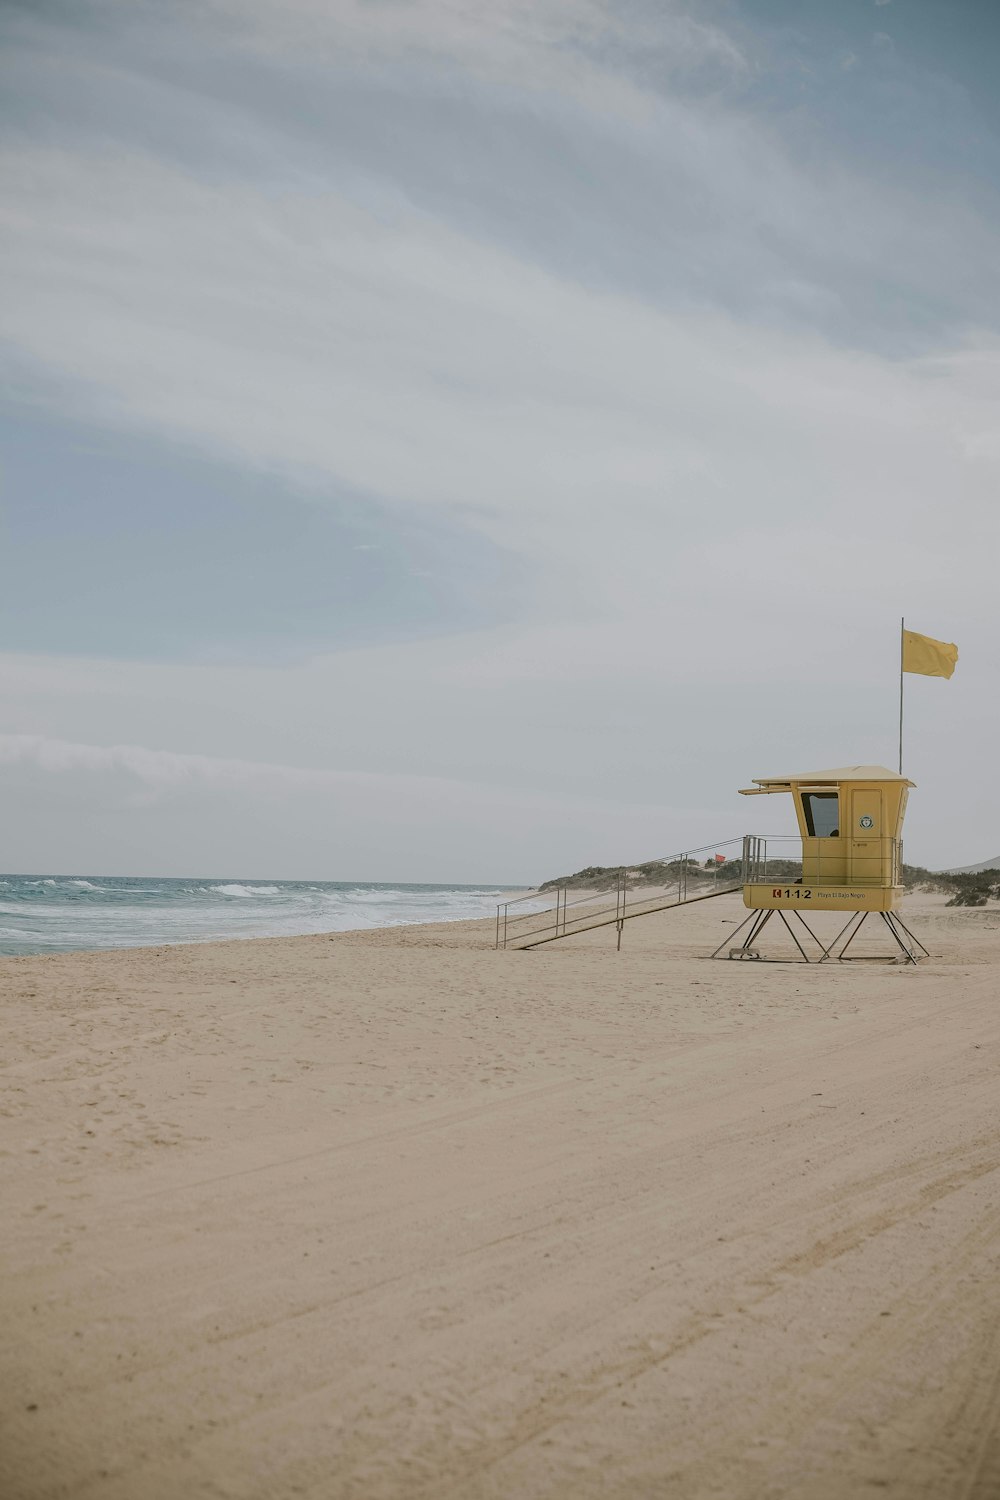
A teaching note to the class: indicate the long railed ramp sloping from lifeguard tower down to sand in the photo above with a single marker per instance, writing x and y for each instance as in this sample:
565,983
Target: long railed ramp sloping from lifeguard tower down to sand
612,908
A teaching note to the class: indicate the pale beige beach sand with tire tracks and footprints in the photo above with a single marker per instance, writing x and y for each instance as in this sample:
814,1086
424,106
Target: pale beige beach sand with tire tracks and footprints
397,1216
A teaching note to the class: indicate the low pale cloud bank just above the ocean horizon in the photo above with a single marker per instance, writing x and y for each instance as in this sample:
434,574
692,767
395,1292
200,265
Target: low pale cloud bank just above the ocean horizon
248,817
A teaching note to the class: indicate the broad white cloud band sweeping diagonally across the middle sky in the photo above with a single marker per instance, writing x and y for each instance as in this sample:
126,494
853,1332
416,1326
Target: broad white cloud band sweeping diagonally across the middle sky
615,445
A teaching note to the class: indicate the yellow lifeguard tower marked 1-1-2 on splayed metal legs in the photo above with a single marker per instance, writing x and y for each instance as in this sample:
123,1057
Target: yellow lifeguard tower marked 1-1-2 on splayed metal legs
851,823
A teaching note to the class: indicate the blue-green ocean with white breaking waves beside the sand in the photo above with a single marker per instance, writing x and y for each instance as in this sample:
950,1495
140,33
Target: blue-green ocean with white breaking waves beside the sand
61,913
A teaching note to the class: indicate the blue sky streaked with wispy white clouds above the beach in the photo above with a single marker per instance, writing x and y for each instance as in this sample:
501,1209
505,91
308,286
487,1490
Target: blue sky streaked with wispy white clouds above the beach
446,442
